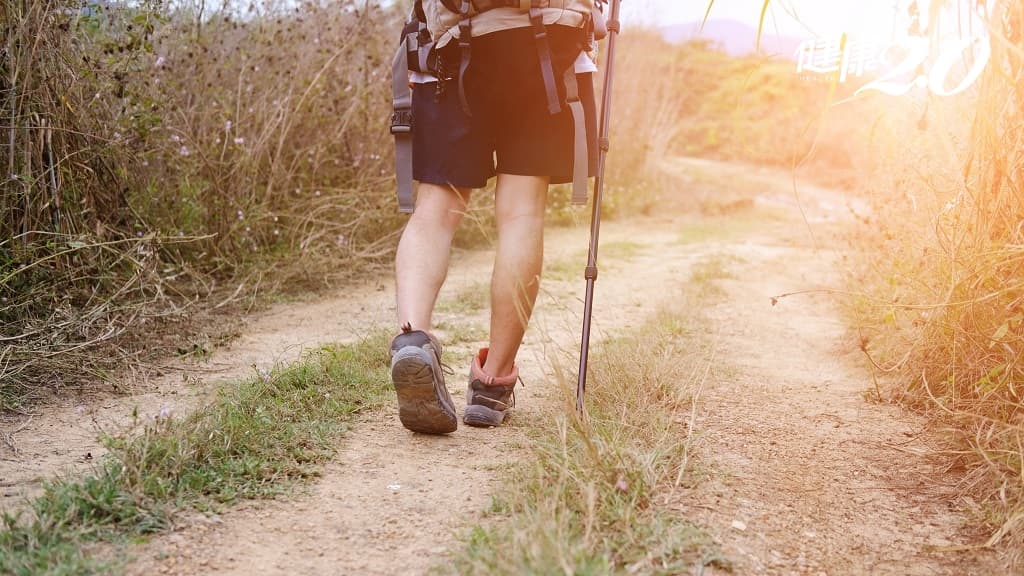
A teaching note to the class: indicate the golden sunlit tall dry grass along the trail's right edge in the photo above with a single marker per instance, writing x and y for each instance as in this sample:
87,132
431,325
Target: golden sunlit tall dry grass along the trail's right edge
945,317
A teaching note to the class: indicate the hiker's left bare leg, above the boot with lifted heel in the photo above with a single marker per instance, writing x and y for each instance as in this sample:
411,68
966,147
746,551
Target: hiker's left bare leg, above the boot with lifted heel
422,262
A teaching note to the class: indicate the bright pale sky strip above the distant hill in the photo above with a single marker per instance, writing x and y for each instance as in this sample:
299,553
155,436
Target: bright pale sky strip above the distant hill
801,19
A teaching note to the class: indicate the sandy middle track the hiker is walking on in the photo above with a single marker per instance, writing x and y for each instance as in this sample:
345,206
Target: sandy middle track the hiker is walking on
398,503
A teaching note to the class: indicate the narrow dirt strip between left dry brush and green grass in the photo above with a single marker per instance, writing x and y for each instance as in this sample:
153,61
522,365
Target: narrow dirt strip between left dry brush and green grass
63,438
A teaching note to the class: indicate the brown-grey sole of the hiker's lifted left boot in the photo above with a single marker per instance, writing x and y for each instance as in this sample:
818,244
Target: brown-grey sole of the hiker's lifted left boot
424,404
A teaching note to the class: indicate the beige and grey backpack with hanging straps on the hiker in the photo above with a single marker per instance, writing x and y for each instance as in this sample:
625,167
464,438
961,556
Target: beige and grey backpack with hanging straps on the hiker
417,53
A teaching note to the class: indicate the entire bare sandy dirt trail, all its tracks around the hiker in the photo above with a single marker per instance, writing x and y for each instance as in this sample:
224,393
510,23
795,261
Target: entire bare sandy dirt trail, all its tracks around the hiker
800,475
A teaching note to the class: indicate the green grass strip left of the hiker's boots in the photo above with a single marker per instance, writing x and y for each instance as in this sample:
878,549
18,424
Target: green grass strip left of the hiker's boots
255,439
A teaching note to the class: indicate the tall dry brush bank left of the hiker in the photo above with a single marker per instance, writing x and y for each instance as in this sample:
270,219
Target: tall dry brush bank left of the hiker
159,160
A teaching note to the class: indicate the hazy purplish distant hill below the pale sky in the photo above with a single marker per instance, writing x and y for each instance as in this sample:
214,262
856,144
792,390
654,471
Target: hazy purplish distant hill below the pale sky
735,37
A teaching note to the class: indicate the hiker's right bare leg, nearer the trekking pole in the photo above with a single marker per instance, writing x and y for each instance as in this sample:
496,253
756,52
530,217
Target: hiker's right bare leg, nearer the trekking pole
520,208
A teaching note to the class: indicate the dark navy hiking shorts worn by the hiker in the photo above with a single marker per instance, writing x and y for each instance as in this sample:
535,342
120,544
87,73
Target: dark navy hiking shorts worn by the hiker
510,131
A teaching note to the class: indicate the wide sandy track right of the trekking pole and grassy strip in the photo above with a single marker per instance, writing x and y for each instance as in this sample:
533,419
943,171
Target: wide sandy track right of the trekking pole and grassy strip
804,475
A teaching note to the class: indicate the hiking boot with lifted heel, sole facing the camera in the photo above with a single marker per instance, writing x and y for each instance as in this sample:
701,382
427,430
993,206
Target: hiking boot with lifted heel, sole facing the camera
424,403
